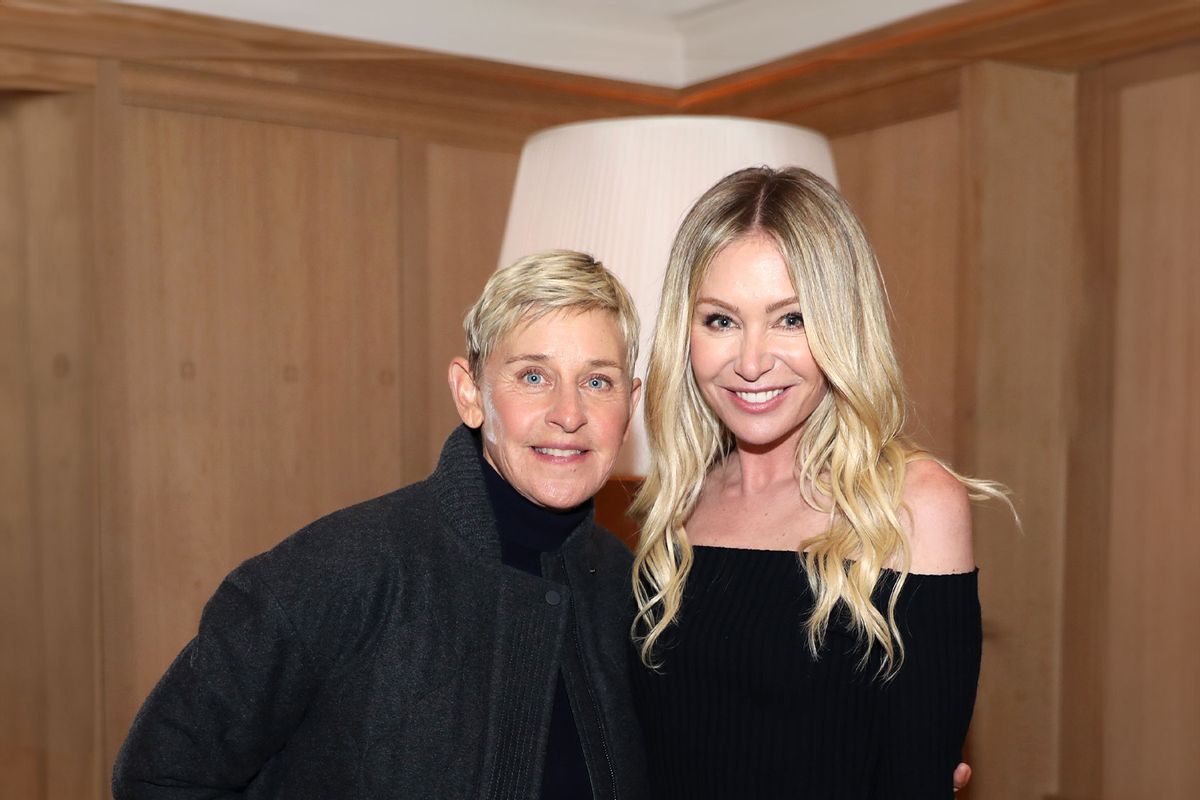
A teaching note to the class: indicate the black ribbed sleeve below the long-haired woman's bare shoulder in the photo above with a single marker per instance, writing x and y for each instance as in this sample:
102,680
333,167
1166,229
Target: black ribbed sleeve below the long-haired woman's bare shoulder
931,701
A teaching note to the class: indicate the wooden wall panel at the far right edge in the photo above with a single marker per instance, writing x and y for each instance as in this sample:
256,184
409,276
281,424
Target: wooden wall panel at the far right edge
1151,701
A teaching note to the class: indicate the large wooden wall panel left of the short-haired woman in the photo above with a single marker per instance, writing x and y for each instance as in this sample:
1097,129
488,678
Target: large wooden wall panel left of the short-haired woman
251,358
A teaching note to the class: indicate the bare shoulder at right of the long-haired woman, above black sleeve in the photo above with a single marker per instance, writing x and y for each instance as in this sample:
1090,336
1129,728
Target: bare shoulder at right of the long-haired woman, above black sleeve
938,521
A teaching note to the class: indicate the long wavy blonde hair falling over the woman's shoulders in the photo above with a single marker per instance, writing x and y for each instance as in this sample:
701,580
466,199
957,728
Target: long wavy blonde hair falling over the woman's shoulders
853,450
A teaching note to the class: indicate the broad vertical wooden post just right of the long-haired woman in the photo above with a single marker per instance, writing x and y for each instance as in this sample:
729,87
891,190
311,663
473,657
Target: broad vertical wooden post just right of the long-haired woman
1022,231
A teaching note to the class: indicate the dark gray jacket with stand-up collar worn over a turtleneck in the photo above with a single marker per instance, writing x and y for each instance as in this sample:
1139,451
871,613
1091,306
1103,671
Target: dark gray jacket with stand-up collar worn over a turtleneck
385,652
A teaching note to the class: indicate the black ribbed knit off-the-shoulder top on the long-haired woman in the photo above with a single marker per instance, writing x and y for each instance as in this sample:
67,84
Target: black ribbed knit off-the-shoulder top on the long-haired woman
741,709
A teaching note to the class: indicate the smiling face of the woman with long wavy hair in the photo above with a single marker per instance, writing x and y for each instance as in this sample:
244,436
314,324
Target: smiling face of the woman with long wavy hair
749,351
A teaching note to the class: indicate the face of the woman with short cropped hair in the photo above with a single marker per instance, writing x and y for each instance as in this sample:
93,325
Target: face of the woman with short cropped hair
556,400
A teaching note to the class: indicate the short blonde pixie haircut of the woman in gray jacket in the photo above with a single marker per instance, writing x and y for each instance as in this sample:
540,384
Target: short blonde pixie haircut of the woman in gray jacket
542,284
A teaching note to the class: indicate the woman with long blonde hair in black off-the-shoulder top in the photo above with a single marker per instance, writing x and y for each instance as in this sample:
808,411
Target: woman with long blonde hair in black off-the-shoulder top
808,616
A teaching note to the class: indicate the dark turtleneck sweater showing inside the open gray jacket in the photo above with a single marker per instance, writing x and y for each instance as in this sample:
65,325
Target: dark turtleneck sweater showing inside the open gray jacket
527,531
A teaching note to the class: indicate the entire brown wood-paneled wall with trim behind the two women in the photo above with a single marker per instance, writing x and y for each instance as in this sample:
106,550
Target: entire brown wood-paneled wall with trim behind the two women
285,236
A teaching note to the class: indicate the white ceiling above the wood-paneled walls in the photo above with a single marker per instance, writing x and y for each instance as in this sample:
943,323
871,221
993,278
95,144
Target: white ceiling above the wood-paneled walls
663,43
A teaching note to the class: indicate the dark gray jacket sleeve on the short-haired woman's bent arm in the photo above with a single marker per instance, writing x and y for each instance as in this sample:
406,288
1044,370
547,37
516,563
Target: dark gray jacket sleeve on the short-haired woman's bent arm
230,702
